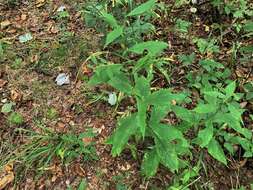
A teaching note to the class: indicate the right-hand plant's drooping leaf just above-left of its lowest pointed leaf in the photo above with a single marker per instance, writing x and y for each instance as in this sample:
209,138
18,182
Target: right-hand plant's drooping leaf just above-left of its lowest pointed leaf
206,135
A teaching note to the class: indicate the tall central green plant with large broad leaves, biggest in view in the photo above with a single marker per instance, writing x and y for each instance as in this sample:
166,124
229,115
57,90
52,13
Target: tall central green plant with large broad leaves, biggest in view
169,142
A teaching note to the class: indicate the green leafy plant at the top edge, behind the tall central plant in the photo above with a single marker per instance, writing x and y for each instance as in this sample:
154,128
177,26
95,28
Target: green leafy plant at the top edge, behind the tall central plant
123,30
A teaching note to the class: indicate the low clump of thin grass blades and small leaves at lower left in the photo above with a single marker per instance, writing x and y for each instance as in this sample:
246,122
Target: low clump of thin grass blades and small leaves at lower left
42,146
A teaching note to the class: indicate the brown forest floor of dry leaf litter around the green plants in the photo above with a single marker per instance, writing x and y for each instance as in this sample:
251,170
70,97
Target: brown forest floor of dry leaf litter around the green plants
61,44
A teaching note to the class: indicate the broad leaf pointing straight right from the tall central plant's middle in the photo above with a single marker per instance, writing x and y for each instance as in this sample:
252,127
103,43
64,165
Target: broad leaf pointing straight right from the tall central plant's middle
164,97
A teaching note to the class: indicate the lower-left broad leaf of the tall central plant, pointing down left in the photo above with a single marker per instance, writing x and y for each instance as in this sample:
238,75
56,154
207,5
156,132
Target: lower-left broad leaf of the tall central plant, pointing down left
126,127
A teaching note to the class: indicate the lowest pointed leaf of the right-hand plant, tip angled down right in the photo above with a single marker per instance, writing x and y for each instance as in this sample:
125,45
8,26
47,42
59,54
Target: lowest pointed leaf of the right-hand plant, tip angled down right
216,151
